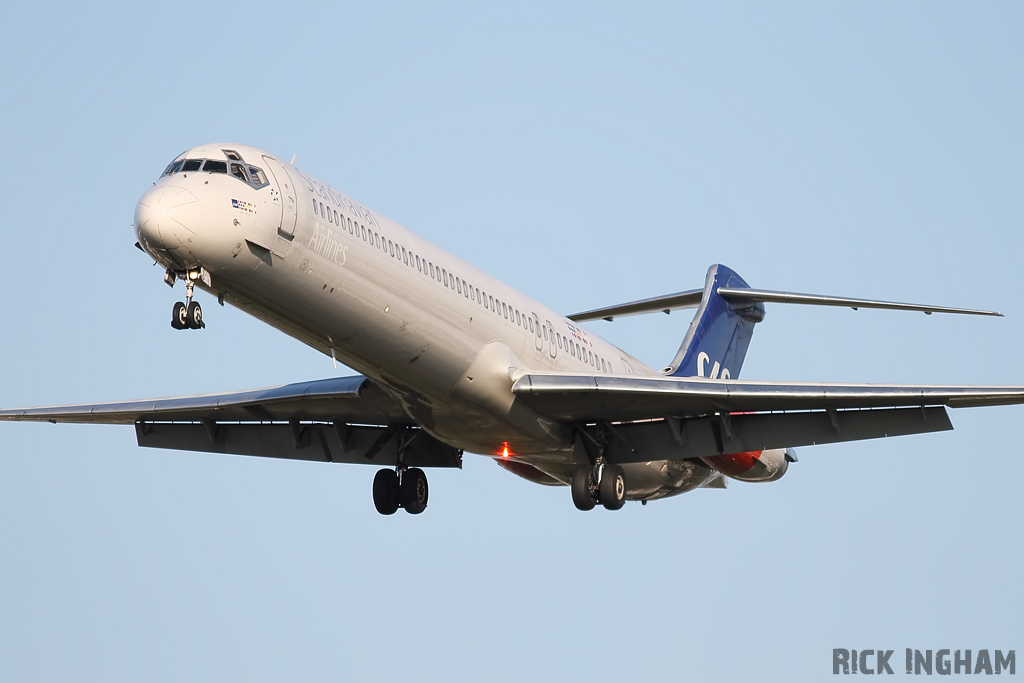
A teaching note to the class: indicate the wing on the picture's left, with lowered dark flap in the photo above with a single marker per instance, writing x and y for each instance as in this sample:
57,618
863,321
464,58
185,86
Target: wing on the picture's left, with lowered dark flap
340,420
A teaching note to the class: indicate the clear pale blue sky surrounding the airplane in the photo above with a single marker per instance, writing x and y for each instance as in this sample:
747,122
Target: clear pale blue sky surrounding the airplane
588,154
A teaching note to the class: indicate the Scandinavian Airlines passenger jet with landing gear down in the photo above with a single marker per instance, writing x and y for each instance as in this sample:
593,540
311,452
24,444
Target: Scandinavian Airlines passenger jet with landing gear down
454,361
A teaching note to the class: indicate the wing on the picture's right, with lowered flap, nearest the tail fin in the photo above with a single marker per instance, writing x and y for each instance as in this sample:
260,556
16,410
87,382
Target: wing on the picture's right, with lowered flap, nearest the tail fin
657,418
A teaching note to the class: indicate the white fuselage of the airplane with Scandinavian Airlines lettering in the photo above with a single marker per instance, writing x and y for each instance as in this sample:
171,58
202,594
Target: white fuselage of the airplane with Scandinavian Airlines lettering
446,338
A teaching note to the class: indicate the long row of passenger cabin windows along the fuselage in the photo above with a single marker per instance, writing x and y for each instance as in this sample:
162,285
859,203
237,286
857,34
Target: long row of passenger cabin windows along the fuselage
460,286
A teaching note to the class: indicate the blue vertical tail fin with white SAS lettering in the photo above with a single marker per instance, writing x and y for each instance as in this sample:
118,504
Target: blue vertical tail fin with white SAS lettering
717,341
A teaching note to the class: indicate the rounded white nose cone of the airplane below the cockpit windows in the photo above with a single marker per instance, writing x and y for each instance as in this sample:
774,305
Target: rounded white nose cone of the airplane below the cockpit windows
166,218
